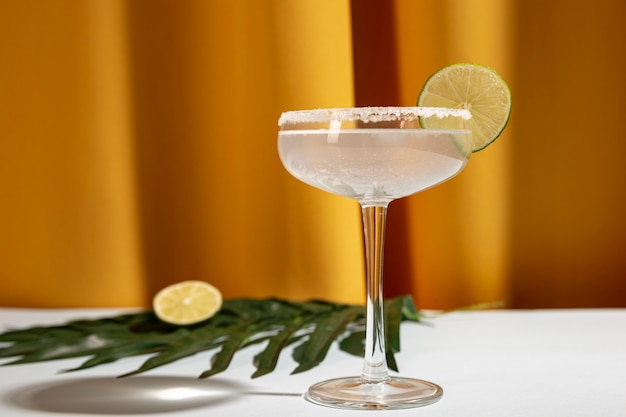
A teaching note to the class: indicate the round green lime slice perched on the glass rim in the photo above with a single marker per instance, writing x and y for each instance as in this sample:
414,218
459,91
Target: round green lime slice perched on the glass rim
476,88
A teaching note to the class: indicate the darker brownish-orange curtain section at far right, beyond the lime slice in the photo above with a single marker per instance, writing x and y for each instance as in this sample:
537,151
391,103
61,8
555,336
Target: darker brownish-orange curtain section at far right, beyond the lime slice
568,207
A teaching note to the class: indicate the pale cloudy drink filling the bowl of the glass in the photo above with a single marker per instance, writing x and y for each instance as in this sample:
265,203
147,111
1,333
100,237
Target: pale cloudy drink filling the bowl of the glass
373,166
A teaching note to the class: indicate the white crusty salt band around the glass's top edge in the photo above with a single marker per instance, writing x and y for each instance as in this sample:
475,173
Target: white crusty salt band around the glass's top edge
369,114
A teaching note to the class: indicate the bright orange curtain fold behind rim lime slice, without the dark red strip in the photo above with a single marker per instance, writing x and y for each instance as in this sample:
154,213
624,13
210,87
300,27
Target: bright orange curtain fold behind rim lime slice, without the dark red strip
459,231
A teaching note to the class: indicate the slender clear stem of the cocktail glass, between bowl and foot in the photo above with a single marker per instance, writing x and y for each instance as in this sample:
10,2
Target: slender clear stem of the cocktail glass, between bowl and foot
375,363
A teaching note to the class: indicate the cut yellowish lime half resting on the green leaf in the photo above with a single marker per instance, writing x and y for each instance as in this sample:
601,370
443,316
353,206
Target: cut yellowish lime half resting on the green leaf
187,302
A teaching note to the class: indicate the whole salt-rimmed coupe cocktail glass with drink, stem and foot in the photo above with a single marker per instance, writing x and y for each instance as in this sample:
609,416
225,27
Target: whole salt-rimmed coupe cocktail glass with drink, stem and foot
374,155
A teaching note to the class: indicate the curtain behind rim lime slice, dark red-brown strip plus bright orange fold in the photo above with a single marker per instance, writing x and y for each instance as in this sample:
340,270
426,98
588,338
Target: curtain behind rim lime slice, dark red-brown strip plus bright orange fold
447,246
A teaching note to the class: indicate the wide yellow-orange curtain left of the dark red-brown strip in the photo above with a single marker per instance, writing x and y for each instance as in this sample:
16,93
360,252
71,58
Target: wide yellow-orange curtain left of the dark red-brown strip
139,149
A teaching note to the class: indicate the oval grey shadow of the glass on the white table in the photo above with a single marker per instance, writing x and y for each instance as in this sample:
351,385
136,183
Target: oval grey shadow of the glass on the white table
135,395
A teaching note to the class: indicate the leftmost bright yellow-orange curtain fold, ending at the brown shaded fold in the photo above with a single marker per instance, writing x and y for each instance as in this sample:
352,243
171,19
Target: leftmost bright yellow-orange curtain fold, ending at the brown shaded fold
68,219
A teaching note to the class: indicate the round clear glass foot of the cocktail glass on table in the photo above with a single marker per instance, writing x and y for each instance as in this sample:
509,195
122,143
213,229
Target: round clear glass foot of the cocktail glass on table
354,393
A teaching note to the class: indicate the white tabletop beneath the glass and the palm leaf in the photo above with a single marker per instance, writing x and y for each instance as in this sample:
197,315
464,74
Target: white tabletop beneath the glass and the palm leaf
547,363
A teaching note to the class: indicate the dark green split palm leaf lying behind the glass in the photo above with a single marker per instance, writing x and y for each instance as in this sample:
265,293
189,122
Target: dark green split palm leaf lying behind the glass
312,325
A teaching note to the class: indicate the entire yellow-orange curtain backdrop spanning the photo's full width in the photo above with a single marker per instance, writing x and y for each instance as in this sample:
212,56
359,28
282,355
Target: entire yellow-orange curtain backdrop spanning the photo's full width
138,149
